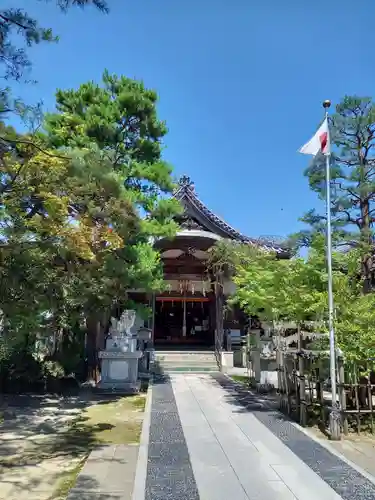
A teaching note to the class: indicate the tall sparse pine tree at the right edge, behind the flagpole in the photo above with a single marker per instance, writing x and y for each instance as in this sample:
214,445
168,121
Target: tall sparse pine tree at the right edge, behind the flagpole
353,182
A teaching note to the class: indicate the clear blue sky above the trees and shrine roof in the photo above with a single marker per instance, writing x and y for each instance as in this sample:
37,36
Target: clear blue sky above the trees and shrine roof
240,84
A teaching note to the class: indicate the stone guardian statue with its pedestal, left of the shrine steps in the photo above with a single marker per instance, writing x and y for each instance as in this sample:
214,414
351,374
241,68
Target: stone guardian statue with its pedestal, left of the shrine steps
119,371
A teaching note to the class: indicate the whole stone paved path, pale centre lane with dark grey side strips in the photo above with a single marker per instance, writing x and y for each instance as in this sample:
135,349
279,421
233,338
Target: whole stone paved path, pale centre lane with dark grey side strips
206,439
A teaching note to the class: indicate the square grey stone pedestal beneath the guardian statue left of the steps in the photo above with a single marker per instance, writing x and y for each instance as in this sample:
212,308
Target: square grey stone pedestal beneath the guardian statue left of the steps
119,370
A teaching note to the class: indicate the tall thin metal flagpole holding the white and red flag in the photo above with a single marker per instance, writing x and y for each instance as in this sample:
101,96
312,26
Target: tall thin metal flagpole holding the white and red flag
334,418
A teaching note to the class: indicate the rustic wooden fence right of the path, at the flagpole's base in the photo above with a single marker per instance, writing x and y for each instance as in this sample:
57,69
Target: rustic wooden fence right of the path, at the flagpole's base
304,386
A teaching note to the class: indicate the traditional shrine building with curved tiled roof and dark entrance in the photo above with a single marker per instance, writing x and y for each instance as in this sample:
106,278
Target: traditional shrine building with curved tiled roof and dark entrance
191,312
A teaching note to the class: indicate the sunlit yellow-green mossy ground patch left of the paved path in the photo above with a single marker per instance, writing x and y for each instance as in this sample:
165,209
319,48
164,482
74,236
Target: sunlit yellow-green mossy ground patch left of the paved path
108,421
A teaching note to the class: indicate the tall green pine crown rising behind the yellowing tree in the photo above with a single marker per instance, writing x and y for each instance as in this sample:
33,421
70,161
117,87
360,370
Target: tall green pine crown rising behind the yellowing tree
118,120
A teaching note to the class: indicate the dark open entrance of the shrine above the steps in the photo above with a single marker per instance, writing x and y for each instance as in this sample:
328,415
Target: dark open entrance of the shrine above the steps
184,321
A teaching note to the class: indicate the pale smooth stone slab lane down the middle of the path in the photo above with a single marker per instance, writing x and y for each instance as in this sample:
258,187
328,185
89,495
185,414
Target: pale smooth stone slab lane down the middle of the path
228,463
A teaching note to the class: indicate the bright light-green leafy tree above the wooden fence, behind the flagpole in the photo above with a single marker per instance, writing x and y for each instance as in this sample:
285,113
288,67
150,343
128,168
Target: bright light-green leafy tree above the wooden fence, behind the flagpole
296,290
